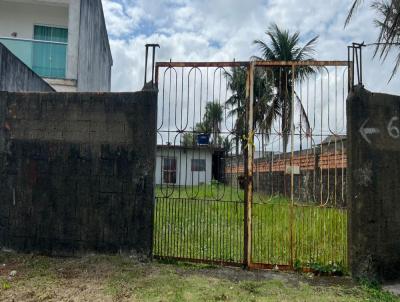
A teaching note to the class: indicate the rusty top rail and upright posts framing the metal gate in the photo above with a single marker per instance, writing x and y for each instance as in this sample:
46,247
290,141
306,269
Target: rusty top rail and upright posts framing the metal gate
249,149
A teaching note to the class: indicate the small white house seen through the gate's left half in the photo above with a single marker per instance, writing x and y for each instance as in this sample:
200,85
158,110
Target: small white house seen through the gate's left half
179,165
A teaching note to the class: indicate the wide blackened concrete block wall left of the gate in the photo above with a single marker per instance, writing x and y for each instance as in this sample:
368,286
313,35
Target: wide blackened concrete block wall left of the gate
76,171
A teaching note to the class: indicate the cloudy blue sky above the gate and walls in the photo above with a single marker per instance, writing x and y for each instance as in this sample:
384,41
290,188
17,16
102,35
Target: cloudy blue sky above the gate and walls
223,30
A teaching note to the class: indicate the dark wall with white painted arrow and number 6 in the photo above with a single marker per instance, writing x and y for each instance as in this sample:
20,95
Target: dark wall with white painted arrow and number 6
374,184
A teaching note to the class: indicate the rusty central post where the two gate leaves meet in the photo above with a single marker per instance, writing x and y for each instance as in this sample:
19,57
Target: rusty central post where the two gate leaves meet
249,153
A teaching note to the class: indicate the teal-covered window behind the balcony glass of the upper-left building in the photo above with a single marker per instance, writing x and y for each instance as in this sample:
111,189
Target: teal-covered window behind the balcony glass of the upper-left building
49,59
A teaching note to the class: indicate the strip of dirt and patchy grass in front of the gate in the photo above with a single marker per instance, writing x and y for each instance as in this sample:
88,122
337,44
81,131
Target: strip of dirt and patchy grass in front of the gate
125,278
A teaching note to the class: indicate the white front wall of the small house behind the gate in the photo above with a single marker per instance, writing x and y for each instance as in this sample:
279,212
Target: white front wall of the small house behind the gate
184,173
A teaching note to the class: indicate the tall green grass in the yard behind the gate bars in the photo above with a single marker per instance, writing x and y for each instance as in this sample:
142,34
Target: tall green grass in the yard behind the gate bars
206,222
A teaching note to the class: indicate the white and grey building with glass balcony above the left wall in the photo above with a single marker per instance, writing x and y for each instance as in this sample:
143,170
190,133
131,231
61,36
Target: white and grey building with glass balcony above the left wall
63,41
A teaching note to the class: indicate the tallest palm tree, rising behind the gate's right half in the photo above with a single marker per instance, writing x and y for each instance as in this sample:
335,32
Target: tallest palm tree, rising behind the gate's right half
284,46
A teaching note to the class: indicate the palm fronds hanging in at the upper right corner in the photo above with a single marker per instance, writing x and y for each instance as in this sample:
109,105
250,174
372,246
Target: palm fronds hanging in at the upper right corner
388,22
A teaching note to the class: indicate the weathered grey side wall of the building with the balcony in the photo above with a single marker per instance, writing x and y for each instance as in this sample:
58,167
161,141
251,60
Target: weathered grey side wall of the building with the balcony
95,60
